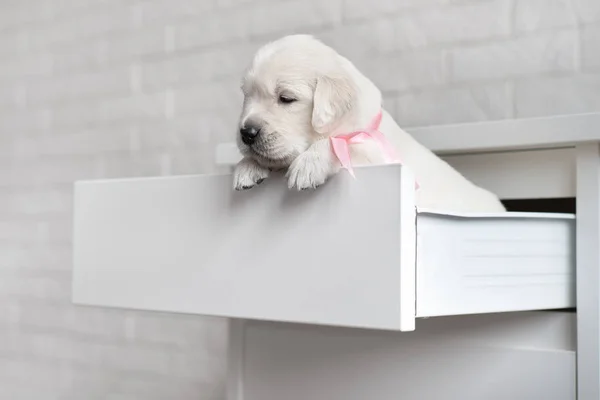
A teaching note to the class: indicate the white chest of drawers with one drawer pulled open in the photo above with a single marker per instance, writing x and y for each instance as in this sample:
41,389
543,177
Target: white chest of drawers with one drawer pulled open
323,287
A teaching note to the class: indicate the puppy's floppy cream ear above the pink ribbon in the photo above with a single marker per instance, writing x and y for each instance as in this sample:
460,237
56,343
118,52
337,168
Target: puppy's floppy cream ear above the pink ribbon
334,98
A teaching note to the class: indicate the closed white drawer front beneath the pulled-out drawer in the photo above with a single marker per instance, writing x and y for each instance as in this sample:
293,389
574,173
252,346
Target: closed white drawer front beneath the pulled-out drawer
516,356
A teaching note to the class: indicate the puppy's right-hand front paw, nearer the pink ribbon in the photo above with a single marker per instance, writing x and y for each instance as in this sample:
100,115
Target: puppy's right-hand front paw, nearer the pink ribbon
307,171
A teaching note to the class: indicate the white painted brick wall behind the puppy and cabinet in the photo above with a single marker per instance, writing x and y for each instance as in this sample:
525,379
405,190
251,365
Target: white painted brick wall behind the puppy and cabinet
111,88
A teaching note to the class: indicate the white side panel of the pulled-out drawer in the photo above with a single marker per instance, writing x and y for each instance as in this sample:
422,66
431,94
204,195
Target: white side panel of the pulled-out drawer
486,265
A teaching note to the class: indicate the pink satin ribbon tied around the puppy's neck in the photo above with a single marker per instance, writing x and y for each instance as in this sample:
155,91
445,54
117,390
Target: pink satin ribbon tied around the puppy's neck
340,144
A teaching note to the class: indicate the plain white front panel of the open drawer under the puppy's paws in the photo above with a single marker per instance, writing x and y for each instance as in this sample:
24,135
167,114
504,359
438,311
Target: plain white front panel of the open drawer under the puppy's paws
340,255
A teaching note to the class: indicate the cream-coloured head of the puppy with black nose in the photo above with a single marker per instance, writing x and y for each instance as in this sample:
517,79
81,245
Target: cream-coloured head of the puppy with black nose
297,90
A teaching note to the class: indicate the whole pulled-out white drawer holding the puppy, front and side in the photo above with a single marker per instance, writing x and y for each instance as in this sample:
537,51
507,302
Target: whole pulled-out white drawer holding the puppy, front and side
351,253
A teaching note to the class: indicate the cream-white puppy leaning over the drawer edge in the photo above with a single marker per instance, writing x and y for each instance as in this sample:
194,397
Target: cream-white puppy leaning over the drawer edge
297,93
